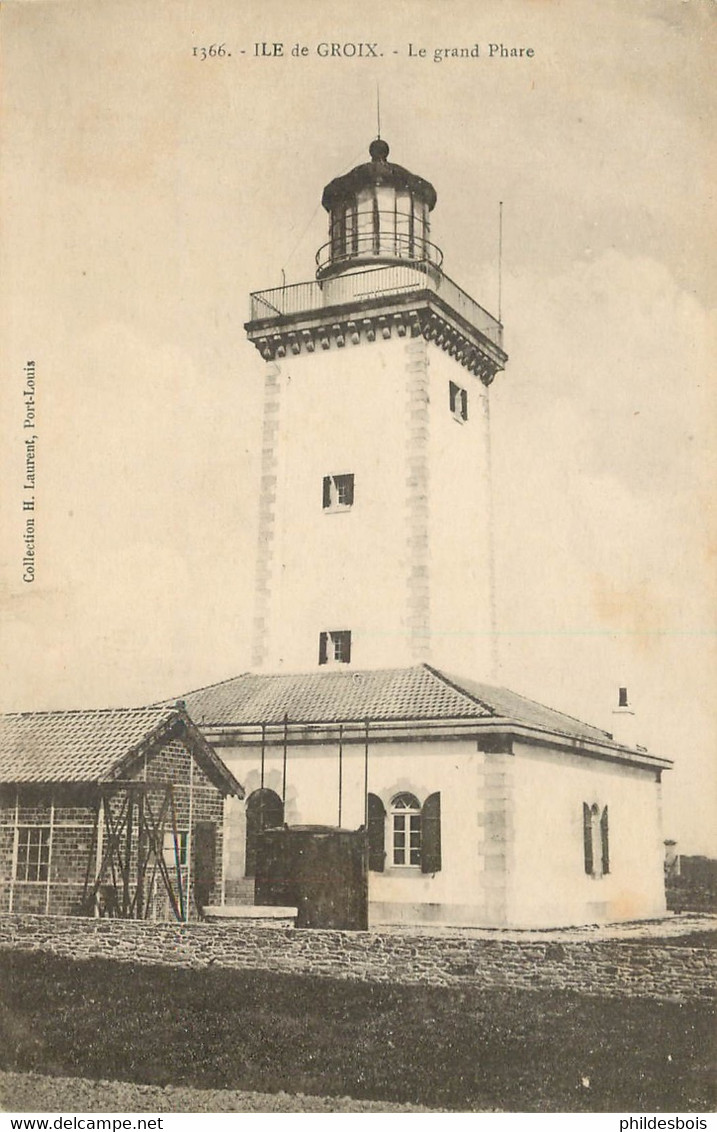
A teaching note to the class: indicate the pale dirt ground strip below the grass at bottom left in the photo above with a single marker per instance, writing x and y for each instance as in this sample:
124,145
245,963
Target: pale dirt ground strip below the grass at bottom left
32,1093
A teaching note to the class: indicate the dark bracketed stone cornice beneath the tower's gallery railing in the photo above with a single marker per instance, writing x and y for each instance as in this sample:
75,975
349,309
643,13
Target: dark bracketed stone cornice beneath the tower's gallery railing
364,322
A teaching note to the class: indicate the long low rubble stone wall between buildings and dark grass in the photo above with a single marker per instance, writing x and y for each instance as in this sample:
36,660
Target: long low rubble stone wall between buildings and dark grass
635,968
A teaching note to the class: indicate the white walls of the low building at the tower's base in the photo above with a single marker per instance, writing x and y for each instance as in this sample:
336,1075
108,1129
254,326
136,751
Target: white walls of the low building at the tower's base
511,829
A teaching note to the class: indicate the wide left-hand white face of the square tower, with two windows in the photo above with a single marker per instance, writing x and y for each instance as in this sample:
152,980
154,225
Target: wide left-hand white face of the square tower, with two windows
326,570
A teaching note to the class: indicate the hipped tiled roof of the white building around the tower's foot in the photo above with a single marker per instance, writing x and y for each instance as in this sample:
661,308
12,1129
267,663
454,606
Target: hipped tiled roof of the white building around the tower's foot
389,694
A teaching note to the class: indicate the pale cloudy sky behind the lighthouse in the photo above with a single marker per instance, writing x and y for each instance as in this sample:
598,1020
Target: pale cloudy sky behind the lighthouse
149,192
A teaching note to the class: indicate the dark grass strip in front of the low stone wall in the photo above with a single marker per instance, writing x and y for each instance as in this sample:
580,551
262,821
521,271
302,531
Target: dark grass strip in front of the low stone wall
449,1049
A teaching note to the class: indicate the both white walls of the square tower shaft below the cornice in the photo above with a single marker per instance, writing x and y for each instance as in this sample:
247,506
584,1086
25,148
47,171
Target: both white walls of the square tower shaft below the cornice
407,568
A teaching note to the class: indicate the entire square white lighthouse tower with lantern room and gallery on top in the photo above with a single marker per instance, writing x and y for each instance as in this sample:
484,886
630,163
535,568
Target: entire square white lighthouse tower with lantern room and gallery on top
374,541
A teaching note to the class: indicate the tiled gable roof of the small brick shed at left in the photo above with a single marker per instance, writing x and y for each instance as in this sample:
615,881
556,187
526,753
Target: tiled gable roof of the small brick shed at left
87,747
